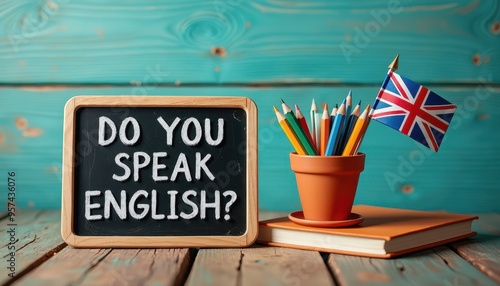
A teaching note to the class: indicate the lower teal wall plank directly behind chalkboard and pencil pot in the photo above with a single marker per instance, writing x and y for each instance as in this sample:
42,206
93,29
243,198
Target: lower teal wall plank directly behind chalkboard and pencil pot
398,171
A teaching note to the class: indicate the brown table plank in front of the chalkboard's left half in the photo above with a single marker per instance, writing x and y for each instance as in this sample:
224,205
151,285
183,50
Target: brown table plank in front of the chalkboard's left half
112,267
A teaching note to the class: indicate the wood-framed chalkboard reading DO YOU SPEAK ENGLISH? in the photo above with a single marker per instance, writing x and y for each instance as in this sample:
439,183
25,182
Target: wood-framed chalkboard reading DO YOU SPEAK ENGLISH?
159,171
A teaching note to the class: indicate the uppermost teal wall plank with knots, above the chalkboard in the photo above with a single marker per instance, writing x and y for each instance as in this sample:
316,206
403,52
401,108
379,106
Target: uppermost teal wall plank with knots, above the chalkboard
179,42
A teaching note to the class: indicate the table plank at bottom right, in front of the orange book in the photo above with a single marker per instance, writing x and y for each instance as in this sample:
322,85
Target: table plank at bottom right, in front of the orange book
440,266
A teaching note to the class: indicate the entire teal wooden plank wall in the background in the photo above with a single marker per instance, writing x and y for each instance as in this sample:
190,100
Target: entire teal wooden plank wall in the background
266,50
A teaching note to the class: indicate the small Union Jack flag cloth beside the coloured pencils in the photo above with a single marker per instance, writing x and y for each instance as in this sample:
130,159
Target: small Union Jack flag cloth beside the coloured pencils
413,109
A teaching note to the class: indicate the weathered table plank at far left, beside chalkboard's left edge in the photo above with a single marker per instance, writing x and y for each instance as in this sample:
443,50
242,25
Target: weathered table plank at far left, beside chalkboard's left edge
38,234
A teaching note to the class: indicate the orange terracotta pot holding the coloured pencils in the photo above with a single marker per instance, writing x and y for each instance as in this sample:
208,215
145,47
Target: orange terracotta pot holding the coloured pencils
327,184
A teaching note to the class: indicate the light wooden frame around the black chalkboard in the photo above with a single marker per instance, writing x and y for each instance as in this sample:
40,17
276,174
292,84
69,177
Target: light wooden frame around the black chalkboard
68,178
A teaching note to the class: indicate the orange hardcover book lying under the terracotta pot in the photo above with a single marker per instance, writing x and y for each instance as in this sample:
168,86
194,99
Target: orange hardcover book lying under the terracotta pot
384,232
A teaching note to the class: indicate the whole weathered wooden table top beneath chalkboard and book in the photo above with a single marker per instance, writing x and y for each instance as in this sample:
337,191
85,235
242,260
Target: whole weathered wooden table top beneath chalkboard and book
42,258
